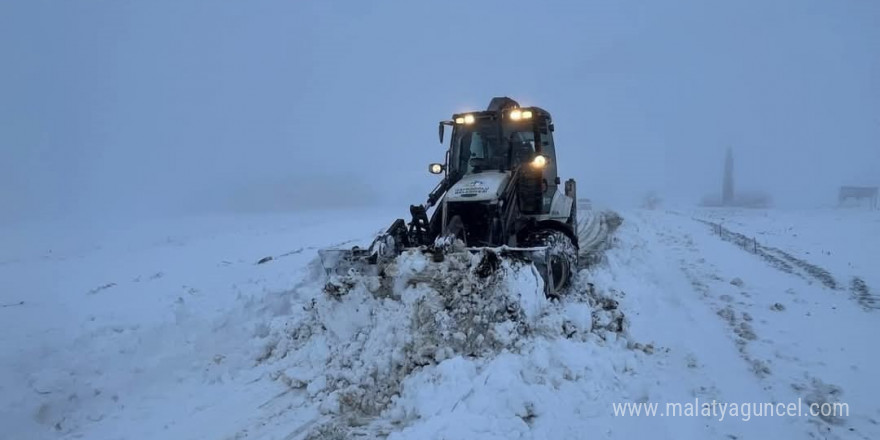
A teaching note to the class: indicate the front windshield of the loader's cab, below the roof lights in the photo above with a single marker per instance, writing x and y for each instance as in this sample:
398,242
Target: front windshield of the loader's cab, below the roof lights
482,146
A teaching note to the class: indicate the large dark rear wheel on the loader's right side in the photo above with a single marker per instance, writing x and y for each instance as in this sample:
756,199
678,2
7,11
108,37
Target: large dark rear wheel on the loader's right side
561,266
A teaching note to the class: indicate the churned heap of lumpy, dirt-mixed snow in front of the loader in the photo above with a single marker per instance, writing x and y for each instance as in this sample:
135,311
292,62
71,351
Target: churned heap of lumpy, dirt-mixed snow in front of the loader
375,354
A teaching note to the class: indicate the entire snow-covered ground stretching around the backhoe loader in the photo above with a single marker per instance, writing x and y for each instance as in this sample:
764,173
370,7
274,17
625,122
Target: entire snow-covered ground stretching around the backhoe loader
171,330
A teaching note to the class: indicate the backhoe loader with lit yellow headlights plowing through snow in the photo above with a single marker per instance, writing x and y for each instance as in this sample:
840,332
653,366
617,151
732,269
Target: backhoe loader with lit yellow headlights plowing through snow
500,195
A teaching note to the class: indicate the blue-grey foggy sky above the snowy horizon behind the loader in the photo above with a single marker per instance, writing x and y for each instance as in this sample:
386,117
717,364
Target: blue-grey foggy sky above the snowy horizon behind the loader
123,108
